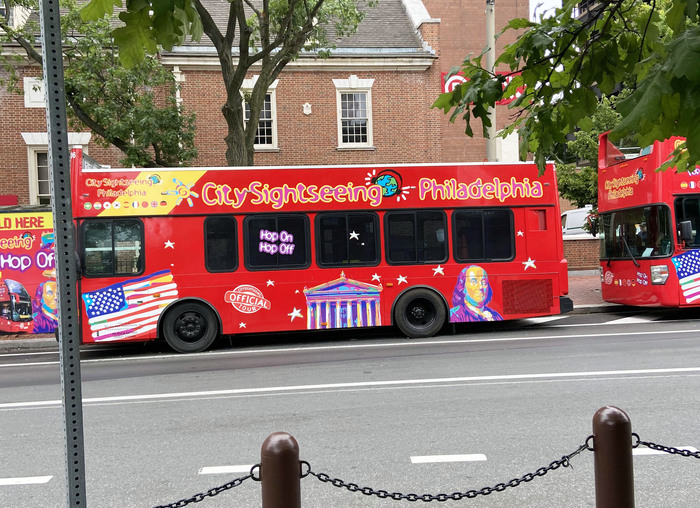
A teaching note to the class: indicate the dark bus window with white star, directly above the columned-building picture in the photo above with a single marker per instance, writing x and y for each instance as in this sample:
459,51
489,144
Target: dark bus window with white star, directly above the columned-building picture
347,238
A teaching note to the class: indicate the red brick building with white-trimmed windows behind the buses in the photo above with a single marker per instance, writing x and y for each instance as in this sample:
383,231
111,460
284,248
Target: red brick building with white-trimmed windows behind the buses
394,63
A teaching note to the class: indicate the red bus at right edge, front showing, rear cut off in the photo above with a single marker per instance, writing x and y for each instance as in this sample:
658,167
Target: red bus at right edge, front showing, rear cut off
648,224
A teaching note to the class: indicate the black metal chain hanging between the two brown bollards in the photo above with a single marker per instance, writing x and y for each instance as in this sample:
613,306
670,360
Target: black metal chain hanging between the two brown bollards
456,496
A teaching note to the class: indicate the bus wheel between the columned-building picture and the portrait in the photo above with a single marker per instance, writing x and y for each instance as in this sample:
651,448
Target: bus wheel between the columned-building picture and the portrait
420,313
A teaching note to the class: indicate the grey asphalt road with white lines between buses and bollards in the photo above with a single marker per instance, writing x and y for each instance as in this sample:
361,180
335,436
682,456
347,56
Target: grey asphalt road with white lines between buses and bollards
450,414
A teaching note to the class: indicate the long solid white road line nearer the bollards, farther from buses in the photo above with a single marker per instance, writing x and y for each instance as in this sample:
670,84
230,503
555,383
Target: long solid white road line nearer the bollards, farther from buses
359,384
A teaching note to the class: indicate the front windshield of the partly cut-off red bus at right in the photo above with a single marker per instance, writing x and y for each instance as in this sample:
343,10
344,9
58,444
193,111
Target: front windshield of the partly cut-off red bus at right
642,232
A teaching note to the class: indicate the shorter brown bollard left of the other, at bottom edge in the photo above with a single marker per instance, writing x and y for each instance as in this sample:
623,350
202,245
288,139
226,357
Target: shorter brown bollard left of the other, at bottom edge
280,472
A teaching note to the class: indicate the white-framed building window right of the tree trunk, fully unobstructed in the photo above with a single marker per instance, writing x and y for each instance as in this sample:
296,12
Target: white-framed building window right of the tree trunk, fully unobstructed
354,111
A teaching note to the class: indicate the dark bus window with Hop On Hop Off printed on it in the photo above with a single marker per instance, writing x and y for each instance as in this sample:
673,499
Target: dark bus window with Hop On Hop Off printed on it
277,242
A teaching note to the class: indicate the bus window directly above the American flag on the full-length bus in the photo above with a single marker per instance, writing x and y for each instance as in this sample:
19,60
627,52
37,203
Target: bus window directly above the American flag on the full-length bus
112,247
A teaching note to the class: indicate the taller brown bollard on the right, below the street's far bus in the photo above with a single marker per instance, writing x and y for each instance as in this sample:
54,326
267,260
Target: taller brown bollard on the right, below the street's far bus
612,457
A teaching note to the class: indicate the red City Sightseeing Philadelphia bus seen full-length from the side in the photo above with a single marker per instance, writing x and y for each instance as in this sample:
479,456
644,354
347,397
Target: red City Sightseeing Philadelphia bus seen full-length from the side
187,254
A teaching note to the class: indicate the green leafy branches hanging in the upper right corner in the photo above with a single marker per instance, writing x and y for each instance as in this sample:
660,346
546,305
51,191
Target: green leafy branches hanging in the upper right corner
566,62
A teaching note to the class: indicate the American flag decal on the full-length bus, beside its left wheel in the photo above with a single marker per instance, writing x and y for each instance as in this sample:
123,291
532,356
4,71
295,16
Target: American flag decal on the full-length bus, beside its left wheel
129,309
